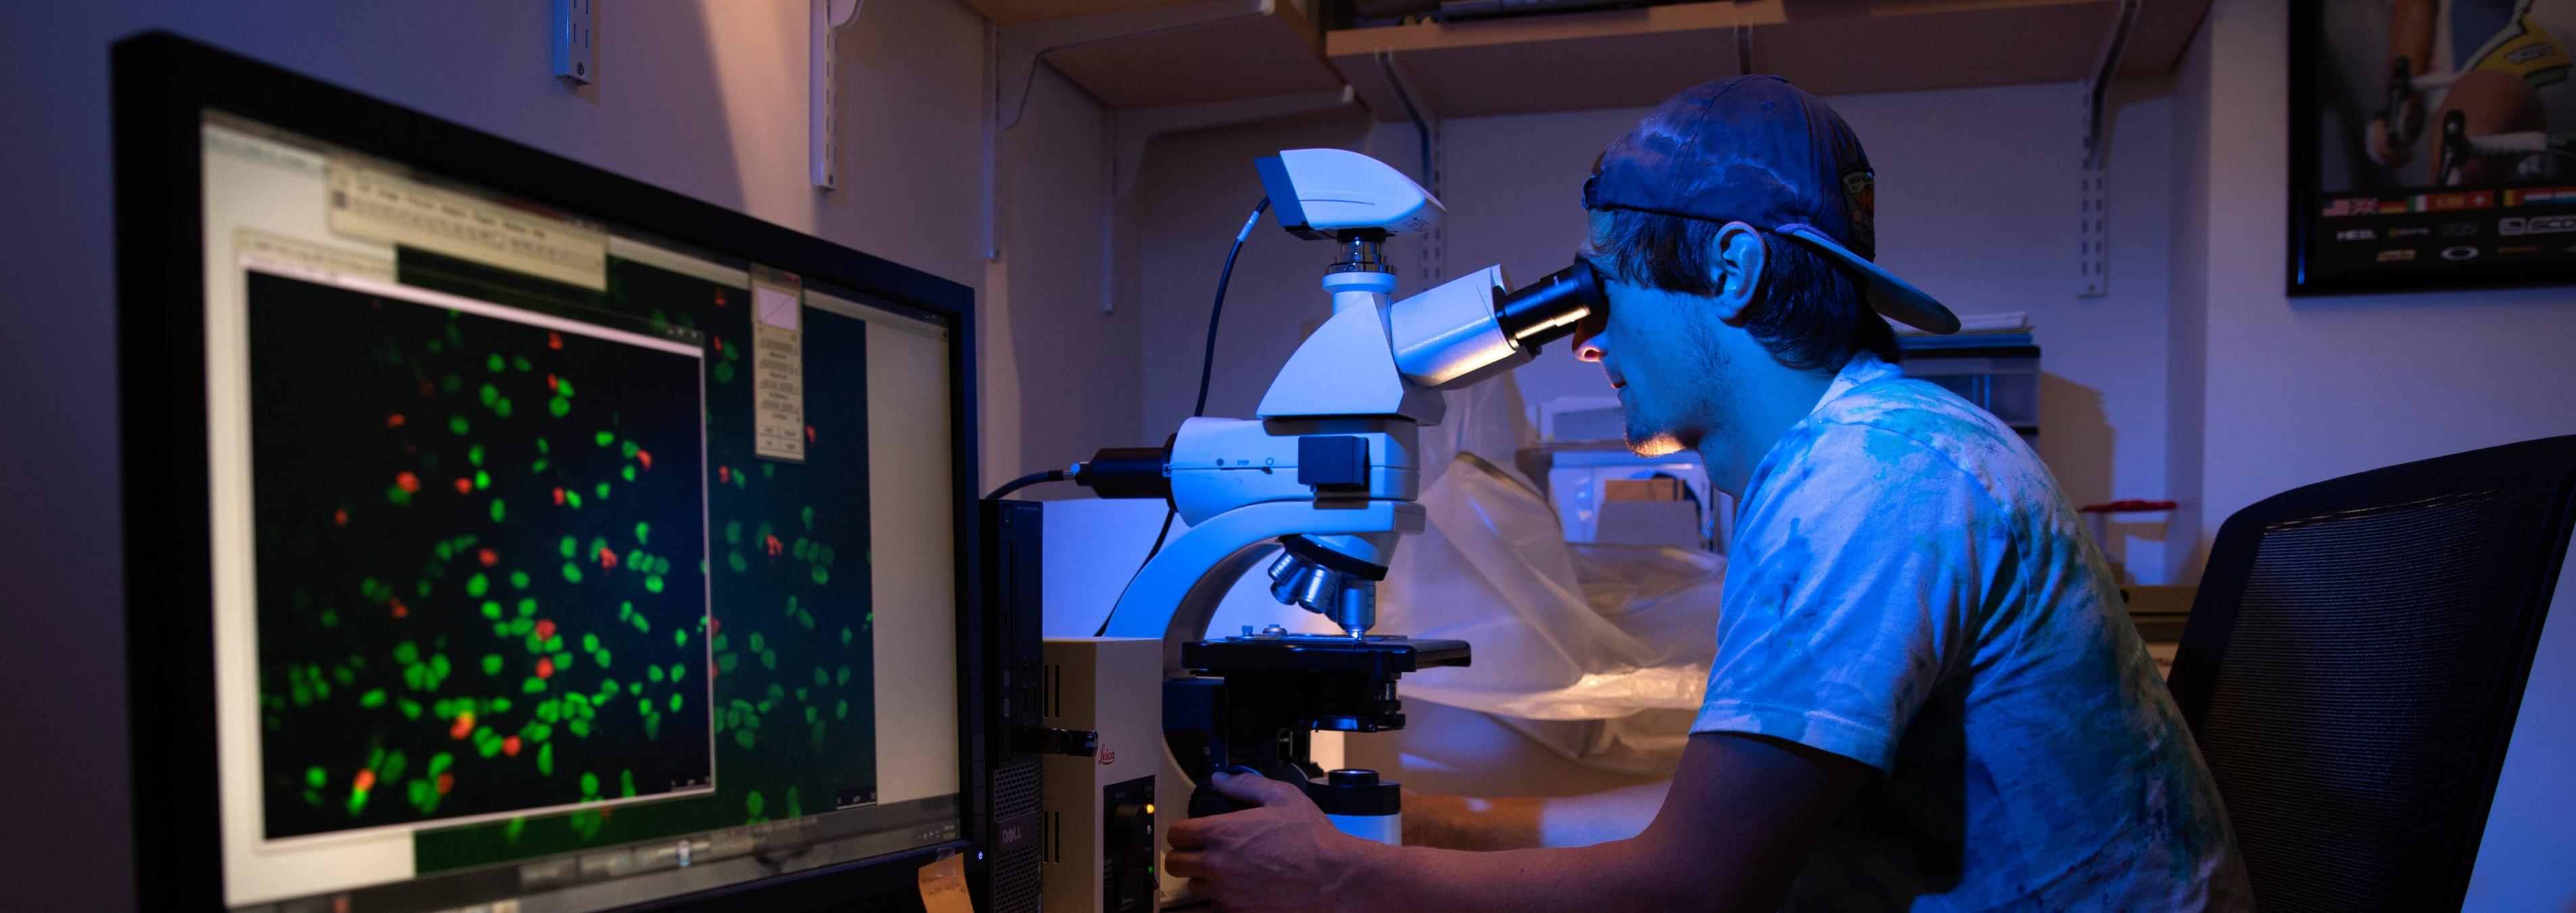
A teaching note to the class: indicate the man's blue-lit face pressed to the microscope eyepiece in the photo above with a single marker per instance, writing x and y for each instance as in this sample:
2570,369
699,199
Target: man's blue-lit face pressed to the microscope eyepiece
1660,354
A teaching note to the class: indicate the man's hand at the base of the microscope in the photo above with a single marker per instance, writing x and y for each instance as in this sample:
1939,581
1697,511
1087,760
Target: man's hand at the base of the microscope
1274,858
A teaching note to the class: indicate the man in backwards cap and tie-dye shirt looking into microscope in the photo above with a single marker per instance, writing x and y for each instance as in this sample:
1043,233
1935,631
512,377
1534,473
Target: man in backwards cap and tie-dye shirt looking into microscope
1926,691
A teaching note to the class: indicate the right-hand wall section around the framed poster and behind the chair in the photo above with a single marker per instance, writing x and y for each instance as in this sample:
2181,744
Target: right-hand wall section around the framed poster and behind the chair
2307,390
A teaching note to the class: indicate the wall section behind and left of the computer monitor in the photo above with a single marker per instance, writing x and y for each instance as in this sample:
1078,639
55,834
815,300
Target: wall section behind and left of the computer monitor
699,96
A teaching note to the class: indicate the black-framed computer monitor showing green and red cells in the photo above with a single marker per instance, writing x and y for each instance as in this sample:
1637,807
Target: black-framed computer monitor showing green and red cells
511,536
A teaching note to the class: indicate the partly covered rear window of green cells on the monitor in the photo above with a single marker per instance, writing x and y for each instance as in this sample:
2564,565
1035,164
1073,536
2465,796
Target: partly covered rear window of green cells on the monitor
795,629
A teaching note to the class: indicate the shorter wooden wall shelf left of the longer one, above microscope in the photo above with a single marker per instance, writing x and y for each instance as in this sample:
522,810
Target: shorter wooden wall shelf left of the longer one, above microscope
1168,53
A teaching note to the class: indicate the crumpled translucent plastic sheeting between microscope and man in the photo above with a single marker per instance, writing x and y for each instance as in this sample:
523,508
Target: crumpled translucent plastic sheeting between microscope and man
1596,652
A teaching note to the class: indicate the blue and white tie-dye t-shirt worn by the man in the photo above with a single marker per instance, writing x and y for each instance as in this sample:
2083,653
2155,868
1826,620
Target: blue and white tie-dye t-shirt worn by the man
1910,590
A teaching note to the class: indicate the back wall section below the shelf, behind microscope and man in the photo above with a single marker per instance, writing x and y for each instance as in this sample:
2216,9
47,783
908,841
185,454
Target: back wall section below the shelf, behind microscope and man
1977,202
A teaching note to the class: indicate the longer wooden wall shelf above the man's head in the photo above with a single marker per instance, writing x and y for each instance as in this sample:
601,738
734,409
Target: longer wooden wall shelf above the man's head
1828,48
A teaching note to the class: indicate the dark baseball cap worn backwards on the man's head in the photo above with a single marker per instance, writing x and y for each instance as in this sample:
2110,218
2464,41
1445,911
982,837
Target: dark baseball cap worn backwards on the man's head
1763,153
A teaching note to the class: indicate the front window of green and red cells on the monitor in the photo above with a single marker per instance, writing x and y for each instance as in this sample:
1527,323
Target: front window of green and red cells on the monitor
480,557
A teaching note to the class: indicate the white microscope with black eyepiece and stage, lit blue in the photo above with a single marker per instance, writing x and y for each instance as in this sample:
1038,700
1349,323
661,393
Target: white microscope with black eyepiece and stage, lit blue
1318,487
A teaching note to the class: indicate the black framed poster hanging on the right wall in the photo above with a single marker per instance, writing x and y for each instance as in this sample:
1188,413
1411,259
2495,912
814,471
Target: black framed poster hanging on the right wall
2433,145
